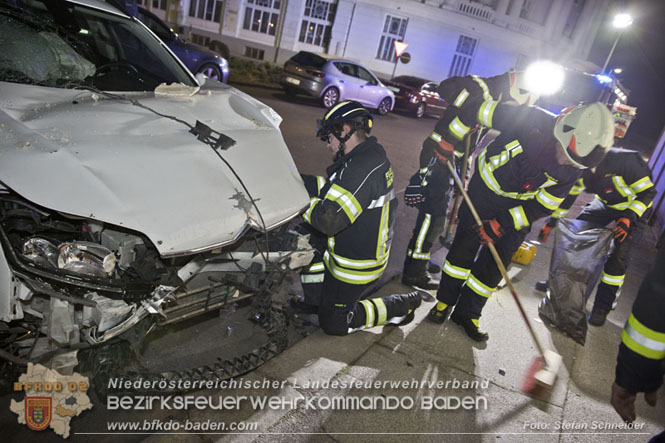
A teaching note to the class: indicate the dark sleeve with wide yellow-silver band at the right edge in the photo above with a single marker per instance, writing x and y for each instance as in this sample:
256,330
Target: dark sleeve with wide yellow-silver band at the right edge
641,359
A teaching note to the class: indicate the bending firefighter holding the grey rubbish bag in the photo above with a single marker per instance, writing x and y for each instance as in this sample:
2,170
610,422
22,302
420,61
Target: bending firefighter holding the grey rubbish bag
624,190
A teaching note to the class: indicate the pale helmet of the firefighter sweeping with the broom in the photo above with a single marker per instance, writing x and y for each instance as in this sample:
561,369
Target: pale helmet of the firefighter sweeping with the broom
585,133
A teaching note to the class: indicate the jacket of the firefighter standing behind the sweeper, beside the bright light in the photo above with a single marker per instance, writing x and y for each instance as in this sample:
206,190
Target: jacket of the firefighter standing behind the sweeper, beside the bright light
457,91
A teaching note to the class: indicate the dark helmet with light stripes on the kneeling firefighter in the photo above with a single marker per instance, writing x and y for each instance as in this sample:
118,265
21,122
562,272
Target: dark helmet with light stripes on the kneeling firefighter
345,112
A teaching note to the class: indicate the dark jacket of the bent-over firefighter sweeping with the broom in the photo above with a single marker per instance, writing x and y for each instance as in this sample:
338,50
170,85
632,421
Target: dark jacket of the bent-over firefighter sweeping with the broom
520,165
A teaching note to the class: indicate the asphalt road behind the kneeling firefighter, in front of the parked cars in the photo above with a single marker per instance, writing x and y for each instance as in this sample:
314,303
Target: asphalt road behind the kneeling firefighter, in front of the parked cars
400,134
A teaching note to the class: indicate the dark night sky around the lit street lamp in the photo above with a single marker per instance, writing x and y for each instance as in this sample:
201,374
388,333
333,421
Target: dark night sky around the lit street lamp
641,54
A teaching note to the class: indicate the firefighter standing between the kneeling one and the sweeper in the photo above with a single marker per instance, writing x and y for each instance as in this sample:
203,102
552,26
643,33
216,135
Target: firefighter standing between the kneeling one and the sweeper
427,189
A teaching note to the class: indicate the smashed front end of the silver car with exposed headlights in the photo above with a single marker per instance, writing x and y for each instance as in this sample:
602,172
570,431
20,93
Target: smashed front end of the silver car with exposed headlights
76,284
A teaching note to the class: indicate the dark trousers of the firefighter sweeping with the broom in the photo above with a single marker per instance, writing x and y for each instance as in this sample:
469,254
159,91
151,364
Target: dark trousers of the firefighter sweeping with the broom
465,278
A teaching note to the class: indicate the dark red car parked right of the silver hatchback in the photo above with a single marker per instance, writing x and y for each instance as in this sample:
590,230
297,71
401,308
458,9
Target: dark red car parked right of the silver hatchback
417,95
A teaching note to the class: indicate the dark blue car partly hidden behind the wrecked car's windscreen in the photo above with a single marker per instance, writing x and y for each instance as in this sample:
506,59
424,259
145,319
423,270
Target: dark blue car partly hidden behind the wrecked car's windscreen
198,59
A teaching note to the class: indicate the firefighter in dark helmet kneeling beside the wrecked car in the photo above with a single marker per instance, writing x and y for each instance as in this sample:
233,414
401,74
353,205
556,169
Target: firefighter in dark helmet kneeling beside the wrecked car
352,213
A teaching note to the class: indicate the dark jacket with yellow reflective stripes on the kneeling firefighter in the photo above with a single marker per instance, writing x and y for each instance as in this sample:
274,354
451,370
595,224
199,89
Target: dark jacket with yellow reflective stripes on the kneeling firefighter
355,208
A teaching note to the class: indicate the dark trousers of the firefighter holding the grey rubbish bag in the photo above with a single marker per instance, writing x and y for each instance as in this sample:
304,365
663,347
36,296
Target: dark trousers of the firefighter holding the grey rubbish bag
614,271
